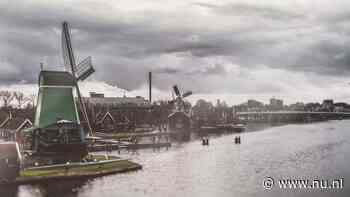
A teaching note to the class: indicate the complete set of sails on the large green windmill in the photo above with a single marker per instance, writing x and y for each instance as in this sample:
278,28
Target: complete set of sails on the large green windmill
80,72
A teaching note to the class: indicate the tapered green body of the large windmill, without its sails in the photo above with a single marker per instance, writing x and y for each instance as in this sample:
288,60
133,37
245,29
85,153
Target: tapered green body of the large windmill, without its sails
57,131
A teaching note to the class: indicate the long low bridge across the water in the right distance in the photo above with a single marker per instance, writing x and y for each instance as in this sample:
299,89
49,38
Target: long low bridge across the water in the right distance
290,116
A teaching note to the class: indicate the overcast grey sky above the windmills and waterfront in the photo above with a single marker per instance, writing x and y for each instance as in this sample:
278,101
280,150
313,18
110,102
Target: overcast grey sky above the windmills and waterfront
232,50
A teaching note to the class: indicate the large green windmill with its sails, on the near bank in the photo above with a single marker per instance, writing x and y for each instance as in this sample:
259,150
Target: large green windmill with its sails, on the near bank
58,132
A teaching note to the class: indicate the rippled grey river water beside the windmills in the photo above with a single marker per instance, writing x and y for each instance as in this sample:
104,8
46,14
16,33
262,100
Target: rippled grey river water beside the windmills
297,151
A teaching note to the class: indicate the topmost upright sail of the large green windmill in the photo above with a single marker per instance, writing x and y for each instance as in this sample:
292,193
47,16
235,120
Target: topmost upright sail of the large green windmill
67,50
